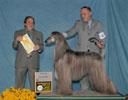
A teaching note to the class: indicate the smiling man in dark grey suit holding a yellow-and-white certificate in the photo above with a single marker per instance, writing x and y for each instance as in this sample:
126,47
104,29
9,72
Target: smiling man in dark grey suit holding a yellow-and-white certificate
27,62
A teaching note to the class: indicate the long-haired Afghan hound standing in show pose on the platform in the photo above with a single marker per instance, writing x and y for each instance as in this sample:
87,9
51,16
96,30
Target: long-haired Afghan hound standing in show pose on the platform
73,66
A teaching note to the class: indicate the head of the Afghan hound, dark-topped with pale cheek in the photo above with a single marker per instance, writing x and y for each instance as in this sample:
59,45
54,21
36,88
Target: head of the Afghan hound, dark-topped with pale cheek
55,37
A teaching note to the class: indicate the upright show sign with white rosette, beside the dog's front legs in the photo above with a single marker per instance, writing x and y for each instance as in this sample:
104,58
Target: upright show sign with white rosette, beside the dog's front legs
43,82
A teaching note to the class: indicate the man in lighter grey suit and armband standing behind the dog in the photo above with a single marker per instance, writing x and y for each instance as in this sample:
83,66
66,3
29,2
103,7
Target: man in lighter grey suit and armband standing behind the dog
86,29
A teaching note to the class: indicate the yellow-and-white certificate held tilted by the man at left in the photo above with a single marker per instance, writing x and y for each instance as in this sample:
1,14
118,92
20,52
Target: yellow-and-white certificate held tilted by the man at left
27,43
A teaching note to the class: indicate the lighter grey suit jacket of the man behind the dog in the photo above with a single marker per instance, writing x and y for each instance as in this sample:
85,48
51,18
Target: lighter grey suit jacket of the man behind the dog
84,33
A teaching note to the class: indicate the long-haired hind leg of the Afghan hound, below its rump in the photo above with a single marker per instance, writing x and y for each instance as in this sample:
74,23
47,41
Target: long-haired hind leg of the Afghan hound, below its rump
99,80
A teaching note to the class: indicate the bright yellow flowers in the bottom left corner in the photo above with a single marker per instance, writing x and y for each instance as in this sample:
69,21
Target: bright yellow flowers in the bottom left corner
18,94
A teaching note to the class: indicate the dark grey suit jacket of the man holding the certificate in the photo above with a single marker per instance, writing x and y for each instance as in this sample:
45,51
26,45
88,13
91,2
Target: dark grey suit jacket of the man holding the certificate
21,57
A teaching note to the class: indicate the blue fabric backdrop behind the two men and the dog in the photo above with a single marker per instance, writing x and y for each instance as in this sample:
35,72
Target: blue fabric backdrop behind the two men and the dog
60,15
